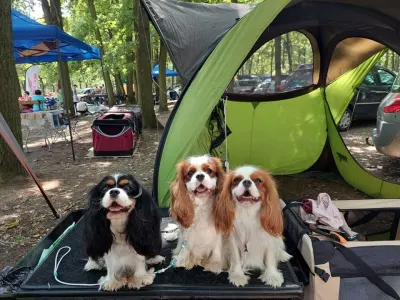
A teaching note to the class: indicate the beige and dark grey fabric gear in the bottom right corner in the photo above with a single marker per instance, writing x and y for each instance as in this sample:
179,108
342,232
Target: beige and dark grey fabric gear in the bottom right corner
338,270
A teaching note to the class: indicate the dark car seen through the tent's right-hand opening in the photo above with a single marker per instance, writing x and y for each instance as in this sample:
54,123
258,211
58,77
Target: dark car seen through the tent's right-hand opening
375,86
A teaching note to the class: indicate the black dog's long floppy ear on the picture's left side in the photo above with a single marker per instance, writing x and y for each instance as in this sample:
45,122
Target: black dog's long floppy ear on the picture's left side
97,231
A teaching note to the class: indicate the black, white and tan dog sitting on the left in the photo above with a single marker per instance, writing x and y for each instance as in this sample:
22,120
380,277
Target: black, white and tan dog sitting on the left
122,229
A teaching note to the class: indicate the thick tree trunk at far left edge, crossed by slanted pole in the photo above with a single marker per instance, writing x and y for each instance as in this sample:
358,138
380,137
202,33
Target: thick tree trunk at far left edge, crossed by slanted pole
9,93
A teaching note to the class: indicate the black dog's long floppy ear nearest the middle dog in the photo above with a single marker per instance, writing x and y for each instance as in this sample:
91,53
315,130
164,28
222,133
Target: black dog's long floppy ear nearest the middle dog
143,227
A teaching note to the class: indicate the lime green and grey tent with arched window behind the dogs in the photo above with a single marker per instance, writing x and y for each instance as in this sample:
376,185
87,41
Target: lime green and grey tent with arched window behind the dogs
286,133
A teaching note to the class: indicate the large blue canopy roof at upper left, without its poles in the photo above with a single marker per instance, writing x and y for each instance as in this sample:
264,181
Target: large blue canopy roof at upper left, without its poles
37,43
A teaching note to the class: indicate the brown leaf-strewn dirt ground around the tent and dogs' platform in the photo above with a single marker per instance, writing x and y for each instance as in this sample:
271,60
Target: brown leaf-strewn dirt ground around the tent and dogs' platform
25,217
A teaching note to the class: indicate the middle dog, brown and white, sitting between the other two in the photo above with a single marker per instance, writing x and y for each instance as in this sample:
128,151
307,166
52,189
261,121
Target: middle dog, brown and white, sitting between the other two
199,180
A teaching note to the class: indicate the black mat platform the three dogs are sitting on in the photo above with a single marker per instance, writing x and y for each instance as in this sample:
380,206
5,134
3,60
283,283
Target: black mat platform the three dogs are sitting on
173,284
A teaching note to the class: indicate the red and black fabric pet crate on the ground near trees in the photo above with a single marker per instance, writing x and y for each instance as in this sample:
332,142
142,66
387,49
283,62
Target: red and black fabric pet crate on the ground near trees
114,134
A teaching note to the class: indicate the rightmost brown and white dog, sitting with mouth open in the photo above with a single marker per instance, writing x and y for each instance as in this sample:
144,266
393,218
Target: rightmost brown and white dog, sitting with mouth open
255,231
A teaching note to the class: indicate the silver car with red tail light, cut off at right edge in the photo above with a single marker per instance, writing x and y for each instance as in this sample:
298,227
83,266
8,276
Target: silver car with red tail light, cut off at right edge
386,135
